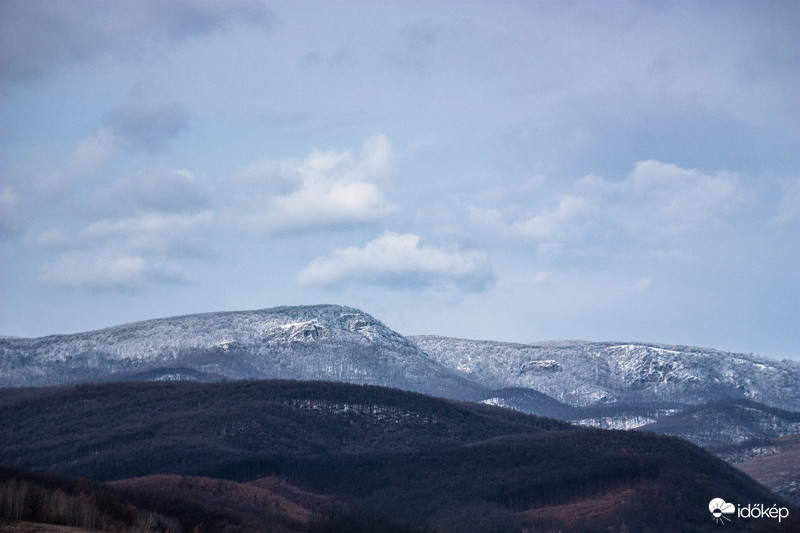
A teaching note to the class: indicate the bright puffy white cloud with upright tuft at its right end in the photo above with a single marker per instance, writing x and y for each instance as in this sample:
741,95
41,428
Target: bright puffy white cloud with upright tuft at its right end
325,189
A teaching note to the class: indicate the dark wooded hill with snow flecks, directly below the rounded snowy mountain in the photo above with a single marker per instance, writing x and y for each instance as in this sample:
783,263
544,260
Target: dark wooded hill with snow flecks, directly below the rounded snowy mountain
115,430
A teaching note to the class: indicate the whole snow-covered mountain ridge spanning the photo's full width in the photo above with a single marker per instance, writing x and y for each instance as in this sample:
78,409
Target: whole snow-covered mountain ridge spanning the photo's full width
337,343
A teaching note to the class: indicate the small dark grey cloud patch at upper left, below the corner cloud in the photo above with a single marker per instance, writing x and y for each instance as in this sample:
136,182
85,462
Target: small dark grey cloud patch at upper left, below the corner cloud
148,126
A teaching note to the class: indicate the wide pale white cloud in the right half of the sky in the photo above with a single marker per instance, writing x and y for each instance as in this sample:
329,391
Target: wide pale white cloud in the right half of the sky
654,201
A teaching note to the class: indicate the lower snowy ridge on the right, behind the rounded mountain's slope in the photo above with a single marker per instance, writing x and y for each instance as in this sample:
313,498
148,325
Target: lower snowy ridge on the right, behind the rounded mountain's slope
582,373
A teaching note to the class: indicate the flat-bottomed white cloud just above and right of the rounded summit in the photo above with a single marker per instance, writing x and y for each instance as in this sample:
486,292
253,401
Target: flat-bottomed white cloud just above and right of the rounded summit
400,260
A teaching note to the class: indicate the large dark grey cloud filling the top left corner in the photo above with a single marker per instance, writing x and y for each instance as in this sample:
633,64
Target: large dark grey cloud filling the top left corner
39,36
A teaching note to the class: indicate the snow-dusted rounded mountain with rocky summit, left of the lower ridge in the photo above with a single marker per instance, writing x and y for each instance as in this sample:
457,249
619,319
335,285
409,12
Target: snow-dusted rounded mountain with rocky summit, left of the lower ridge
325,342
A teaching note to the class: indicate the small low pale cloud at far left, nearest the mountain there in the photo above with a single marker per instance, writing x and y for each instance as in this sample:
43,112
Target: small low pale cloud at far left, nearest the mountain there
104,270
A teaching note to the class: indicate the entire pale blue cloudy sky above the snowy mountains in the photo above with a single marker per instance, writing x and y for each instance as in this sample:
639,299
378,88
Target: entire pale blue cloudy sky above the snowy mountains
514,171
